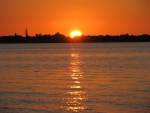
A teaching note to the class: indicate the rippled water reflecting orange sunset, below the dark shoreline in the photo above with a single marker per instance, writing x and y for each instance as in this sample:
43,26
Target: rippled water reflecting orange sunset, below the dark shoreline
66,78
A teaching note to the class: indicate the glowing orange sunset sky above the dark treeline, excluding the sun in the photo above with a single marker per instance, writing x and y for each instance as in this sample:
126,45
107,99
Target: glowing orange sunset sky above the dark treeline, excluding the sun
92,17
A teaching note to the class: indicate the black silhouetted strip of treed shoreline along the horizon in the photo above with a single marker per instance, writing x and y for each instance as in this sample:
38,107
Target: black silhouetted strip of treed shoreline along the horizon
60,38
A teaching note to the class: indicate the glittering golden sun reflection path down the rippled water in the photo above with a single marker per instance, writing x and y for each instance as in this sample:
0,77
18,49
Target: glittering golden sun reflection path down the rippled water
75,98
